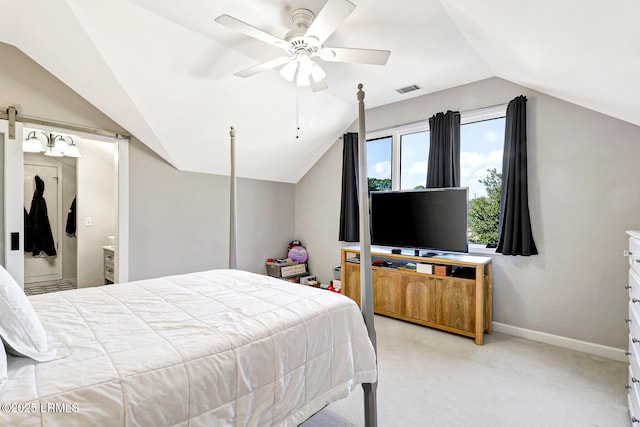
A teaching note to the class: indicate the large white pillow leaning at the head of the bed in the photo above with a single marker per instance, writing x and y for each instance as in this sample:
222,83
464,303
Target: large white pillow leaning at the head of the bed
20,327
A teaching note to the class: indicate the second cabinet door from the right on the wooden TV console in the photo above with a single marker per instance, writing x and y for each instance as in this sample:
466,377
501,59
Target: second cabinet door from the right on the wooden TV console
419,297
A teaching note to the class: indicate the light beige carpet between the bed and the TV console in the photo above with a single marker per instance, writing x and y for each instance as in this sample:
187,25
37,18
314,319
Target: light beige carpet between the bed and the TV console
433,378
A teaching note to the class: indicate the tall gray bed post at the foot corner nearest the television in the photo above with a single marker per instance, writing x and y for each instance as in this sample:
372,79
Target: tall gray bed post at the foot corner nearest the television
366,291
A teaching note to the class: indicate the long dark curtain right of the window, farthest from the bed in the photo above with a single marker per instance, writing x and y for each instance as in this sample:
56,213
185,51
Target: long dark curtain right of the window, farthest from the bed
515,237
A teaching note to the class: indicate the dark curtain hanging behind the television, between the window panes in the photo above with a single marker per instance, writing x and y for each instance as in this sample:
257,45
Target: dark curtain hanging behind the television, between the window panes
443,168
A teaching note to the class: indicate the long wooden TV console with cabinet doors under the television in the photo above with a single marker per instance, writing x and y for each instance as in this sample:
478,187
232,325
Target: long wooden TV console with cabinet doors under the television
458,302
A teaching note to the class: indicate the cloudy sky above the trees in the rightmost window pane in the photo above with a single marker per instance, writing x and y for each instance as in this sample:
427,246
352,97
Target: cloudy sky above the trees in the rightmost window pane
481,145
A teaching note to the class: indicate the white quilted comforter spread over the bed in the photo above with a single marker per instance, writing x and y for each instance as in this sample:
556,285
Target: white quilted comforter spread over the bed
214,348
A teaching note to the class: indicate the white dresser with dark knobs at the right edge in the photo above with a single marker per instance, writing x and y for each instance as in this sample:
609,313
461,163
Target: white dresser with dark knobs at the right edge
633,384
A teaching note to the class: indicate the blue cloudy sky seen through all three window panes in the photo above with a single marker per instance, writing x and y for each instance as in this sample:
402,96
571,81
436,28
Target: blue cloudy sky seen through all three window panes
481,149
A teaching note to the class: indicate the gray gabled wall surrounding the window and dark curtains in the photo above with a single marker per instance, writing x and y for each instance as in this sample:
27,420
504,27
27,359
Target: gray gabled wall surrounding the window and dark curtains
583,175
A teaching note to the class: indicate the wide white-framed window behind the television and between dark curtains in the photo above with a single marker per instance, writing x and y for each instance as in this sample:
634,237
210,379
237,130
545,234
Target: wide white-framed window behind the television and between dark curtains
397,160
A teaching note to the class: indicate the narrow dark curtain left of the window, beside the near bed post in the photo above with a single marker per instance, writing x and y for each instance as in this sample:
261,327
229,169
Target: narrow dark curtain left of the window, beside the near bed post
349,208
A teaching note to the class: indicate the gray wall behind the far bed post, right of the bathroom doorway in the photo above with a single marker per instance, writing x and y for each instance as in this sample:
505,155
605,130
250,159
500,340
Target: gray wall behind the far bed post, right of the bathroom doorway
179,221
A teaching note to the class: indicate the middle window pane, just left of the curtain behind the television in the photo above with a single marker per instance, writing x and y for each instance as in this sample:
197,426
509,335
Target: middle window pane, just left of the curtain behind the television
414,154
